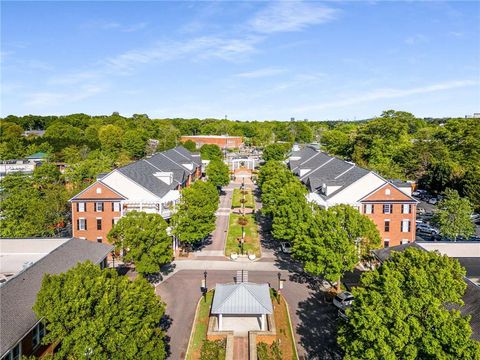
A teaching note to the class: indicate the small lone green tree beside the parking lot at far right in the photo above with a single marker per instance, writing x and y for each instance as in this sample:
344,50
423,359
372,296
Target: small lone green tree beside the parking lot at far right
453,215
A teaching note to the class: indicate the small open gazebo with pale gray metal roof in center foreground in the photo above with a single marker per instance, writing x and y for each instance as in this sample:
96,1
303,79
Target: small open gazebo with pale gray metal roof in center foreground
242,307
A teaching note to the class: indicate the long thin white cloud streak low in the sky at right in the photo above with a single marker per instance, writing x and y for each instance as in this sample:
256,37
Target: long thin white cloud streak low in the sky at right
388,94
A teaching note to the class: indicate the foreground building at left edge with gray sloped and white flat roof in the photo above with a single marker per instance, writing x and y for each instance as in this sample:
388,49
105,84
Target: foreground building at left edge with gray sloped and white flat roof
24,263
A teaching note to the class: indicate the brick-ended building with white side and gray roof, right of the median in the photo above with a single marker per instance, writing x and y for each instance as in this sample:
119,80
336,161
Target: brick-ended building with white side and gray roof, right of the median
331,181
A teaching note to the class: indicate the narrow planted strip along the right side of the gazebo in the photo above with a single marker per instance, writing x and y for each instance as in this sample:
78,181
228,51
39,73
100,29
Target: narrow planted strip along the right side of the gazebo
284,333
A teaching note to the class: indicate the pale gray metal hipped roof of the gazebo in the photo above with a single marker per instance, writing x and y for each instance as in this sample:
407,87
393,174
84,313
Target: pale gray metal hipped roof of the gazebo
242,299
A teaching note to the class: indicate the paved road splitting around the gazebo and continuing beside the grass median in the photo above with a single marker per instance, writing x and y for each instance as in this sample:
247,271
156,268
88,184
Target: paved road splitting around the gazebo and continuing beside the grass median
313,319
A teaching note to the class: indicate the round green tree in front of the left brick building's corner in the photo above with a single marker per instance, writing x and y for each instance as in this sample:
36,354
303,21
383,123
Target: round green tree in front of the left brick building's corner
145,237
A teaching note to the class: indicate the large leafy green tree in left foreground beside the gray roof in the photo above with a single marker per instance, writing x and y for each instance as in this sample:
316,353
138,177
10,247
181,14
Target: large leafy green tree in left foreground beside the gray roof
99,313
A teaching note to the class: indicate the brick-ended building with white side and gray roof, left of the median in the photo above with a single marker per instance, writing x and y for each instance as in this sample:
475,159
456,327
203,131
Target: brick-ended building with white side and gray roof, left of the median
151,185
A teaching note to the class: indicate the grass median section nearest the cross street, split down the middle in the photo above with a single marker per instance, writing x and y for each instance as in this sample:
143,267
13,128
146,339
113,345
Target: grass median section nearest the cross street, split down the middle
251,245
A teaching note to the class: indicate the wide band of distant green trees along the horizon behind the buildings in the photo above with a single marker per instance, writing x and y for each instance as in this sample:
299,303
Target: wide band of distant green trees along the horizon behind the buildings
438,153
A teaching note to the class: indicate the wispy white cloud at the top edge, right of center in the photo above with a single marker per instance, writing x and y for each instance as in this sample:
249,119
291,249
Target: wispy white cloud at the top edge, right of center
290,16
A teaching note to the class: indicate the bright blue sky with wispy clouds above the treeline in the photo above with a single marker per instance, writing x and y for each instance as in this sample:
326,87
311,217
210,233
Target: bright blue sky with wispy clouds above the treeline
247,60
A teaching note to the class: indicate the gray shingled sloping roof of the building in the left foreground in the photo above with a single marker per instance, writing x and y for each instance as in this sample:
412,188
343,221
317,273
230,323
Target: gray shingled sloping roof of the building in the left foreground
19,293
